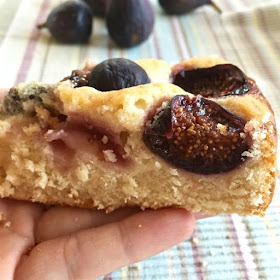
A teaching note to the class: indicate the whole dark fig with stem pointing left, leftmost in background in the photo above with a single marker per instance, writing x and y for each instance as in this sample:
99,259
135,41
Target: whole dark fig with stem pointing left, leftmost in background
70,22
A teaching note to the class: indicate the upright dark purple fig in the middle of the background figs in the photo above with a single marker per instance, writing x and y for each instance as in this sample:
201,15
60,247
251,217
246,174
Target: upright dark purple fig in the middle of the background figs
130,22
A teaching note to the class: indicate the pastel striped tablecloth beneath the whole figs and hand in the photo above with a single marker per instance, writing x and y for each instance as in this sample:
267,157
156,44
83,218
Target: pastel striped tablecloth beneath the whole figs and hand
248,35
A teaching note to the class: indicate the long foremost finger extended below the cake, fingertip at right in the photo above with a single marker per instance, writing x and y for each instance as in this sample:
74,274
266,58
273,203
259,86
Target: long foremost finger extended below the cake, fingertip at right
95,252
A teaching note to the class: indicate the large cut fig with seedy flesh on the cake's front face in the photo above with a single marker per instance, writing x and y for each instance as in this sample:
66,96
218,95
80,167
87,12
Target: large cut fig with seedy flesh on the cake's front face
186,135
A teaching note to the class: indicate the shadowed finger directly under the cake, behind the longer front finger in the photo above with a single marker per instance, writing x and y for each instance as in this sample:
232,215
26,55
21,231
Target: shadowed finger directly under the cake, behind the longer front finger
59,221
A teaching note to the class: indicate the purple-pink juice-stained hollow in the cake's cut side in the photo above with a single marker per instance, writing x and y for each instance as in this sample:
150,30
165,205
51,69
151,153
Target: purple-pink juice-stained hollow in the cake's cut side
86,140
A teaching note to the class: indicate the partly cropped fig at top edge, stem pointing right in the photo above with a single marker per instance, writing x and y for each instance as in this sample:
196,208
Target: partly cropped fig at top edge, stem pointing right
177,7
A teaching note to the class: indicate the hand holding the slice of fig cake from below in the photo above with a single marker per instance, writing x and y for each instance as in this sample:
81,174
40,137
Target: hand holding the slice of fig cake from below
70,243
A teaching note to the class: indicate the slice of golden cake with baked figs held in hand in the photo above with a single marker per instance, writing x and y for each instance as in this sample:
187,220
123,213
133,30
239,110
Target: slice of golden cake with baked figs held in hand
198,135
